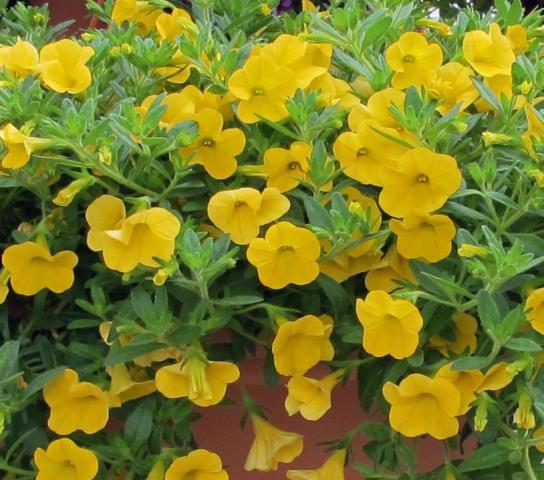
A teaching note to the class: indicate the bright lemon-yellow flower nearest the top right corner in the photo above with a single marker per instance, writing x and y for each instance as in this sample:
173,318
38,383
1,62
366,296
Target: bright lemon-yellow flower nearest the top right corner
489,53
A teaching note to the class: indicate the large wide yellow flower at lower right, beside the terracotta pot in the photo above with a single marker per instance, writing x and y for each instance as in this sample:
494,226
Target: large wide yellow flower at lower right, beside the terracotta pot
421,405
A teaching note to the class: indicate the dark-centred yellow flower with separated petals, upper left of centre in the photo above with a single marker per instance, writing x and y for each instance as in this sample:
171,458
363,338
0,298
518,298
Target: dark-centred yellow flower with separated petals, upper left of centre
214,147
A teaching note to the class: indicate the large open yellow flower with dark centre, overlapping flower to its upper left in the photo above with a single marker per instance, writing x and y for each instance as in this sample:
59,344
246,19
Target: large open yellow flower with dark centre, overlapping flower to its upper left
421,184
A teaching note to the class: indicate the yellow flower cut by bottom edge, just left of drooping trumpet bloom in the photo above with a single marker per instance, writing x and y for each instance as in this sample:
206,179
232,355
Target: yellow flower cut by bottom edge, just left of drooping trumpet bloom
197,465
